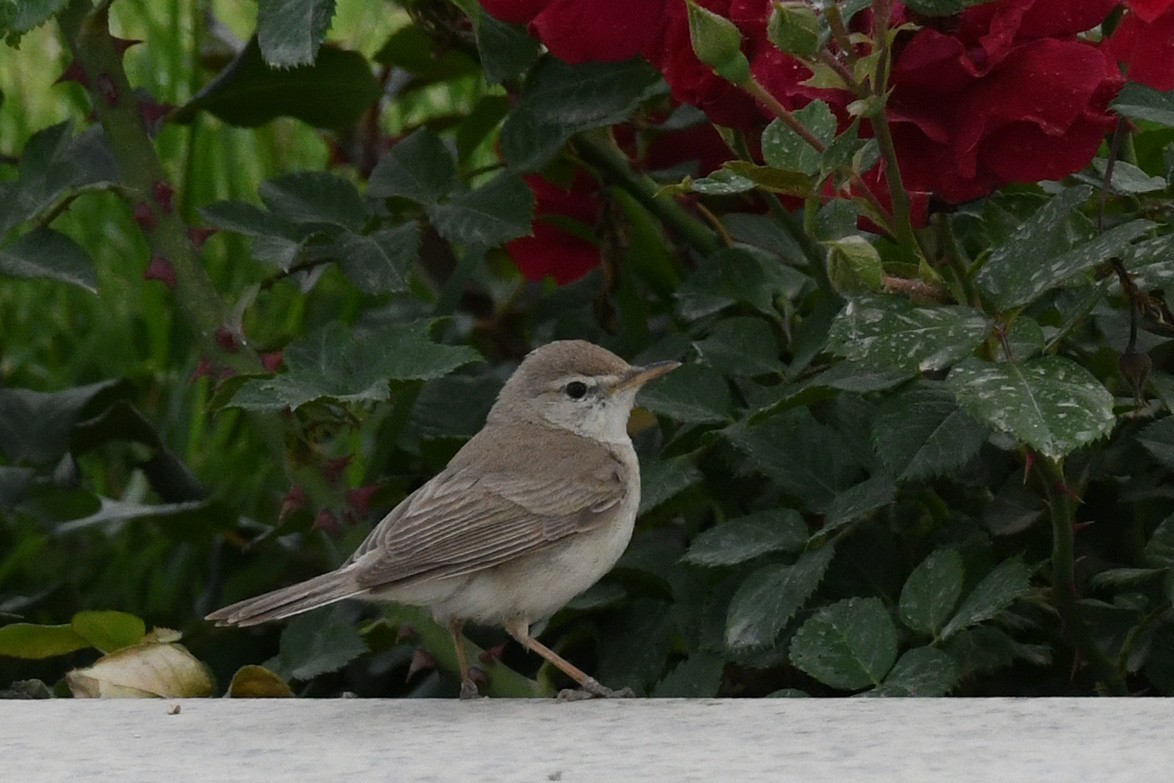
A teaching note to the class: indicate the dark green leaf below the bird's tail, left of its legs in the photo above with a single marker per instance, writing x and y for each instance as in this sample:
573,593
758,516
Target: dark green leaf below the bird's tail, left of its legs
316,644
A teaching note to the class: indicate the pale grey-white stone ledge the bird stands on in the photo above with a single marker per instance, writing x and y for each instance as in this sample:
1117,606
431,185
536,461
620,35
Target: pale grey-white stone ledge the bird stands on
947,740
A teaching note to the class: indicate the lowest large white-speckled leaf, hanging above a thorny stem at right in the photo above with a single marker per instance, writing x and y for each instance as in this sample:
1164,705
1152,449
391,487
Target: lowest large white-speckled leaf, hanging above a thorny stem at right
1050,403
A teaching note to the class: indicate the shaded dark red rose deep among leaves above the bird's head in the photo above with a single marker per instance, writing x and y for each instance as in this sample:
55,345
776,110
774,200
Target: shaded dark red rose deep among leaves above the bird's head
554,251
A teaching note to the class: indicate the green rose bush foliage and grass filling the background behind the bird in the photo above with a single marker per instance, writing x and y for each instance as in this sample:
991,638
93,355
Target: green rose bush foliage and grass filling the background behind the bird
959,485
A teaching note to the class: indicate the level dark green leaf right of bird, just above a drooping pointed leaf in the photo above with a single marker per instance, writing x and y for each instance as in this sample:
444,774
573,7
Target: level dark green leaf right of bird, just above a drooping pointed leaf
778,530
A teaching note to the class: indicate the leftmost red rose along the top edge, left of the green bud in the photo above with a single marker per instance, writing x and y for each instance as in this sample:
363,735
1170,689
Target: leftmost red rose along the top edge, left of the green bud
578,31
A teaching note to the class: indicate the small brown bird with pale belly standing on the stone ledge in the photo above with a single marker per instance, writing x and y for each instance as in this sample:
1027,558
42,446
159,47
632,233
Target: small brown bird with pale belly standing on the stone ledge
531,512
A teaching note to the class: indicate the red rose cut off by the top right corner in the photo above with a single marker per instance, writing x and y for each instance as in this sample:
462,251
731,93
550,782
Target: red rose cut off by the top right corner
1145,43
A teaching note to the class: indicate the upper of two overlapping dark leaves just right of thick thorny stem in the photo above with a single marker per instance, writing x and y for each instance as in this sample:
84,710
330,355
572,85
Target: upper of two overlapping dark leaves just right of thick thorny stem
314,199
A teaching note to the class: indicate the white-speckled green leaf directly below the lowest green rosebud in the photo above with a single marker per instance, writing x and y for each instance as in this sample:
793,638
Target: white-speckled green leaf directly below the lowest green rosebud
889,333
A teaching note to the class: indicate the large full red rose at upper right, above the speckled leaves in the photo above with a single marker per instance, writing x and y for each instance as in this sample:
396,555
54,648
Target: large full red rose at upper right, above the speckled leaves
980,110
